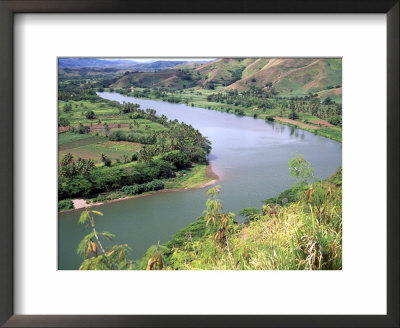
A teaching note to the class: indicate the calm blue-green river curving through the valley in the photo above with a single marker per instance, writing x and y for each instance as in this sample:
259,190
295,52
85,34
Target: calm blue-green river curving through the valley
249,155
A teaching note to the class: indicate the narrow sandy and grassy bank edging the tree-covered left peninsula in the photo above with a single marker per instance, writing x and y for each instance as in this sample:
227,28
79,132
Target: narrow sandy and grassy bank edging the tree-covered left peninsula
198,177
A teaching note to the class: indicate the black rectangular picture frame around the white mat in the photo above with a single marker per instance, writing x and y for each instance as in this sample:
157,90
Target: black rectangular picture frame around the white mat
10,7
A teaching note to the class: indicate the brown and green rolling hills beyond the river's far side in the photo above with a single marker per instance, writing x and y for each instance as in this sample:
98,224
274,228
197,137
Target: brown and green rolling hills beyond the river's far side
288,76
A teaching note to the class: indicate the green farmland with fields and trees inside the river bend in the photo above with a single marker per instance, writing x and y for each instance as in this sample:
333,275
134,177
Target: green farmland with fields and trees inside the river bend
110,151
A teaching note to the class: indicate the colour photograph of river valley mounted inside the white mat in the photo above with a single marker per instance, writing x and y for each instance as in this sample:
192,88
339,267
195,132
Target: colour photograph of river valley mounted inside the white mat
199,163
